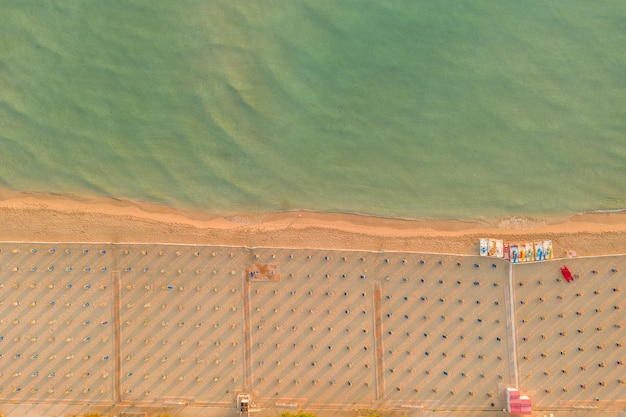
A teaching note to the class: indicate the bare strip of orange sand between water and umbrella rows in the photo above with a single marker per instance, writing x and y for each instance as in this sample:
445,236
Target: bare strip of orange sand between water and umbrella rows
41,217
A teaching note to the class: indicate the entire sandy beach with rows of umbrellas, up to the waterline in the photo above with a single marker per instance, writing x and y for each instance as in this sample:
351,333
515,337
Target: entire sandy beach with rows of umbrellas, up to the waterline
300,309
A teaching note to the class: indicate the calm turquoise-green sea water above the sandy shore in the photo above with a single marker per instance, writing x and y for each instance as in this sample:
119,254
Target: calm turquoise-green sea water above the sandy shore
420,109
